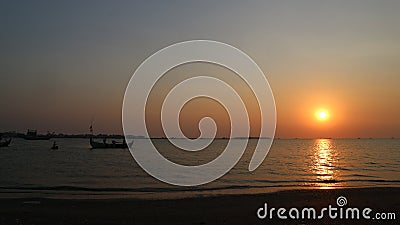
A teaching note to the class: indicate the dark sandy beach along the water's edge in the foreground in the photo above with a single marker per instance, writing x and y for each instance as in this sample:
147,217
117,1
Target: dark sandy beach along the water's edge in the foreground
235,209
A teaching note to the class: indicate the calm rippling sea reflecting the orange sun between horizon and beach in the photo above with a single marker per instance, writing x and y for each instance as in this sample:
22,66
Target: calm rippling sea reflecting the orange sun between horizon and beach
31,169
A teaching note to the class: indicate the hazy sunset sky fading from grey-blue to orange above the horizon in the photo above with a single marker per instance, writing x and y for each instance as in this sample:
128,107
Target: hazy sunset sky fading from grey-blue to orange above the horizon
65,64
